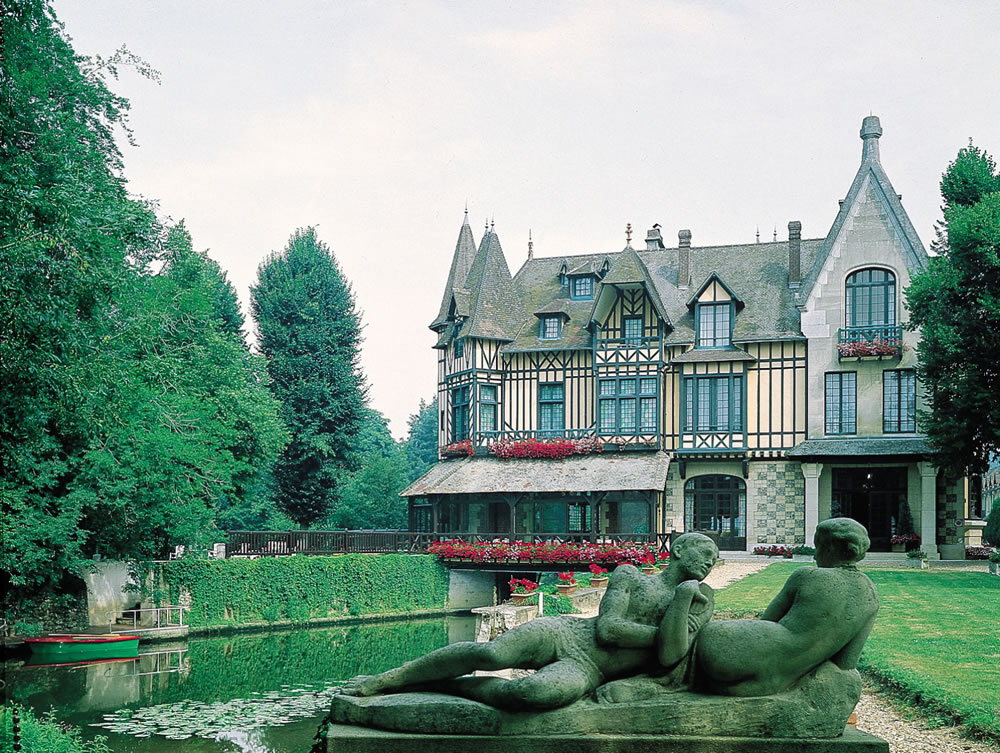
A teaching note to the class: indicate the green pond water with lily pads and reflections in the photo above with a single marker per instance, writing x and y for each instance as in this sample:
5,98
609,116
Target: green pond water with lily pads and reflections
241,693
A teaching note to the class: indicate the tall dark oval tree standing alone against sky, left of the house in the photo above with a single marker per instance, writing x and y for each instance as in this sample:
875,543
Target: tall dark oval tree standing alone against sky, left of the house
310,333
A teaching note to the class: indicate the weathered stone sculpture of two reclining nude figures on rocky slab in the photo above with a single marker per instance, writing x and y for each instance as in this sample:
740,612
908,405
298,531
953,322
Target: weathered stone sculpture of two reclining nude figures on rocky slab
656,663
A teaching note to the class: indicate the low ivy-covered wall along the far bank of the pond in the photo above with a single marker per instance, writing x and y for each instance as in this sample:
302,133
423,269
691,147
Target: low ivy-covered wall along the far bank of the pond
298,589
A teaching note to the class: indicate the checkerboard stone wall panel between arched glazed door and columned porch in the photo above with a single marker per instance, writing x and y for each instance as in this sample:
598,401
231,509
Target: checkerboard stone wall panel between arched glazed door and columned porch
778,492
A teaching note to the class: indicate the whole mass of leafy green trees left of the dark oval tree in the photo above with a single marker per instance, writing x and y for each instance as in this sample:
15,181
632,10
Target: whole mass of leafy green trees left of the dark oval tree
130,408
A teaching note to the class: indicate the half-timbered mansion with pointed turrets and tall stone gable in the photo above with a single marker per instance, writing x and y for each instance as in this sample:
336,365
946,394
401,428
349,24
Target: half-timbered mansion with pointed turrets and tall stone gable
748,391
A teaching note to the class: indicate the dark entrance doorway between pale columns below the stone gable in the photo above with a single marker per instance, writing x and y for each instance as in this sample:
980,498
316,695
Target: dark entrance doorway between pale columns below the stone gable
873,497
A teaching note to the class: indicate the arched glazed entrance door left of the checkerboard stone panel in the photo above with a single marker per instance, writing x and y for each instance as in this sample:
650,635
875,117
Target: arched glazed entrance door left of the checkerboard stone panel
717,505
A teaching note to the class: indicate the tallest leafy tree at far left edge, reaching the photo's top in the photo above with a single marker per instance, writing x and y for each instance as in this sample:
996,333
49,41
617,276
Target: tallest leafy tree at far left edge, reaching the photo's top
72,244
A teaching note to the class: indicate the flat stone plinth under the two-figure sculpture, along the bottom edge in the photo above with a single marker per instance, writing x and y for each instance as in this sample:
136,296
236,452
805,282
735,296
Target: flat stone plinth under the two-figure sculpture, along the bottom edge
342,738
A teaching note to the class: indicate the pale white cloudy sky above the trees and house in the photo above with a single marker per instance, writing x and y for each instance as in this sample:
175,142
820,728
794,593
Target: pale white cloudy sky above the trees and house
377,121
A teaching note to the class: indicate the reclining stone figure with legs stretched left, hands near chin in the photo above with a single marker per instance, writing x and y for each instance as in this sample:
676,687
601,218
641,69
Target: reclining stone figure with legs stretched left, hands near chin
643,621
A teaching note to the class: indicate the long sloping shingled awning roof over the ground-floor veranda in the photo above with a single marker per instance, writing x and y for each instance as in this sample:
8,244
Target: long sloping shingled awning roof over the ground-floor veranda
601,472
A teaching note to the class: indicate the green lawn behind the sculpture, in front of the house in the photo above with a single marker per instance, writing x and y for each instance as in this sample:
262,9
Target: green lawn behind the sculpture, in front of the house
936,640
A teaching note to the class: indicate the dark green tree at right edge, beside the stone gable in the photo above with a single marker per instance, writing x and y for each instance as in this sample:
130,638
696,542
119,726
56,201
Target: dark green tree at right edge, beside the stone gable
956,304
